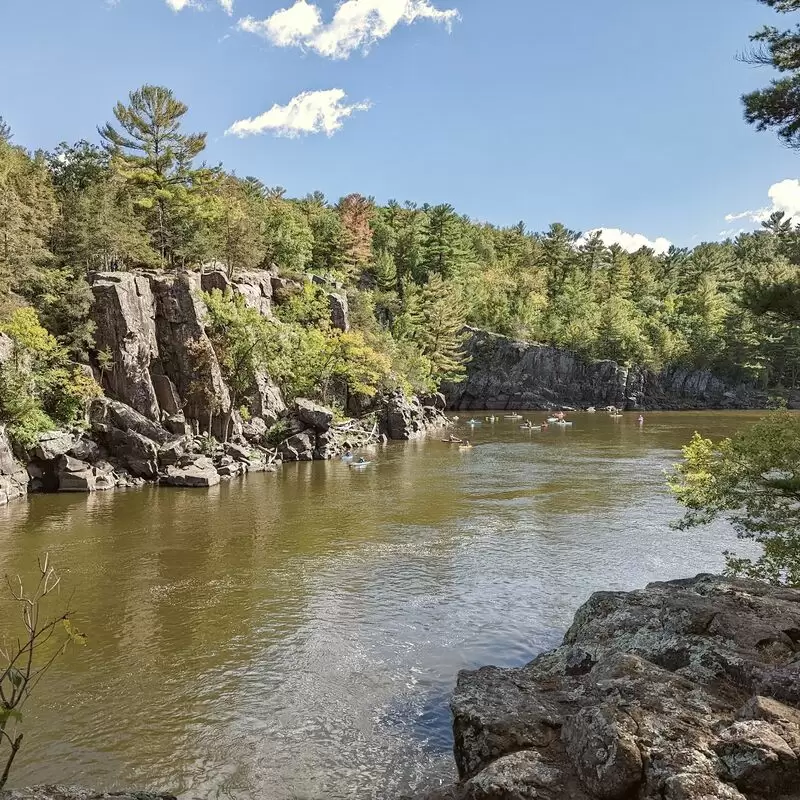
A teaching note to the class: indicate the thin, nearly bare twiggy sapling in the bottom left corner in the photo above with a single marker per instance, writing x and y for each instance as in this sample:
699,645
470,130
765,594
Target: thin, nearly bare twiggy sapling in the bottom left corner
25,659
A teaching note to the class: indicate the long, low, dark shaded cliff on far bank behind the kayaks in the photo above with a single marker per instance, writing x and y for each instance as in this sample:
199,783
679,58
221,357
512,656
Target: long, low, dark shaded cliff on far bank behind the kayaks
506,374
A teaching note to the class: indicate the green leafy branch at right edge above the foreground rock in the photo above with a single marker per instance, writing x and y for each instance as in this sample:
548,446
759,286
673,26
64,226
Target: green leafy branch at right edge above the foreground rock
752,480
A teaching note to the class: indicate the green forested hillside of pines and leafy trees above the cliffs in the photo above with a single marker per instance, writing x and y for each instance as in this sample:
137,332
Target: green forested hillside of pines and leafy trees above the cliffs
142,198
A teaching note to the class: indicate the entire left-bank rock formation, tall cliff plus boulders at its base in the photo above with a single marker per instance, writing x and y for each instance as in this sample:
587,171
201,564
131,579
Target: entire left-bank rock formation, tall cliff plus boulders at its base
167,416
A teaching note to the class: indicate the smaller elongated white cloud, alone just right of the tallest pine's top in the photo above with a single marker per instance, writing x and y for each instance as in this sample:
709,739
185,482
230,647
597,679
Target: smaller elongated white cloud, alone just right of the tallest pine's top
309,112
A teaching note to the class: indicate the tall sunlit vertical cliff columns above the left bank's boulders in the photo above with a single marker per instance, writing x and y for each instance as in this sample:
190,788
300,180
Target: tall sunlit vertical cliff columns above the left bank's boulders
158,358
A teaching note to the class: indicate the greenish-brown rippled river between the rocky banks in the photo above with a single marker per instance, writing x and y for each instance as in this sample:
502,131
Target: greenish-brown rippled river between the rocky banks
294,636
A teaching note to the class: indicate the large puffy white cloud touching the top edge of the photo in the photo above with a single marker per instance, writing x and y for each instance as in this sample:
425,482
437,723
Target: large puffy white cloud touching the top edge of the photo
356,24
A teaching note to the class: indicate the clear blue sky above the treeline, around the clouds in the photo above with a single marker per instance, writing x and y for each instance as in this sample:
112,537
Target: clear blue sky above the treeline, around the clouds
596,113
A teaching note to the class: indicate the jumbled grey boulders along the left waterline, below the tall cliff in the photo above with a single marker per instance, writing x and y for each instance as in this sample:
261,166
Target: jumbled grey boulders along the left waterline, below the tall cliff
121,448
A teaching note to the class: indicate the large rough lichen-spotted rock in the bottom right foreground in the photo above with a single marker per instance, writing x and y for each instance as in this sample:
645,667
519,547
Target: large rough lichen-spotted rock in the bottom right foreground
681,691
